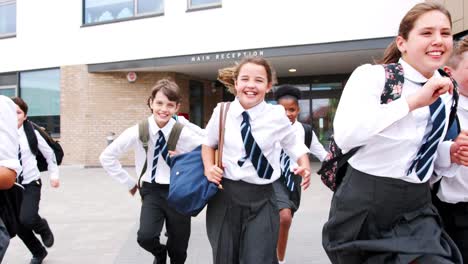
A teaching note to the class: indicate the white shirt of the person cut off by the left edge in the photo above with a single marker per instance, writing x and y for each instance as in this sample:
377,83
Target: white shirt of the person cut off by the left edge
9,143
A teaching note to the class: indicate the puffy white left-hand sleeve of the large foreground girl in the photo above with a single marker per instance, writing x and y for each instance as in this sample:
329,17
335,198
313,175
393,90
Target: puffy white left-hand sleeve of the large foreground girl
360,115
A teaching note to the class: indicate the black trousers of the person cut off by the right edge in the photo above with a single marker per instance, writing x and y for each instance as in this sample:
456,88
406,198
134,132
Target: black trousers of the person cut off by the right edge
455,220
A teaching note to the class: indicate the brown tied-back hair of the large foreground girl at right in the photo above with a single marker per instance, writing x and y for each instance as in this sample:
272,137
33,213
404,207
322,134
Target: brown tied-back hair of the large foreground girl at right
392,53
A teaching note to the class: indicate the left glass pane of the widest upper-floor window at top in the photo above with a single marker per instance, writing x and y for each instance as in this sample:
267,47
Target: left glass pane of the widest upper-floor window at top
105,10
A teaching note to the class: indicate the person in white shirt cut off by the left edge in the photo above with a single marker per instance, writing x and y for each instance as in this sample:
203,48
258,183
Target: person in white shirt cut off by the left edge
9,164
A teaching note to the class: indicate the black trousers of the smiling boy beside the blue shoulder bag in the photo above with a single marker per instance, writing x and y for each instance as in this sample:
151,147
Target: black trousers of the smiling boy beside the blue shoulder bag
154,211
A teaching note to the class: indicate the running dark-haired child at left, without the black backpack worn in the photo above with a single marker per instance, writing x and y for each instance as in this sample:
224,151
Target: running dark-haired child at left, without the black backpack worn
31,221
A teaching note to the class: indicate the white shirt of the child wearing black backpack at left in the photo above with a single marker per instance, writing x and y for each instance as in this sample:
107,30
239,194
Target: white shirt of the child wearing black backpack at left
28,159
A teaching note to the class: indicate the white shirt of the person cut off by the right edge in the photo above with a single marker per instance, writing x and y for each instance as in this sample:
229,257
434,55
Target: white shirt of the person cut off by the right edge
454,184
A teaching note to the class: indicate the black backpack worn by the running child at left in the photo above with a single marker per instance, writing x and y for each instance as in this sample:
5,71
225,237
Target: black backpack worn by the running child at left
29,128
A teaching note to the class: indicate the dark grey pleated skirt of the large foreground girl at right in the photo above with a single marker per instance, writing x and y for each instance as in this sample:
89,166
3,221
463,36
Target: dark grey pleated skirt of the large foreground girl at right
384,220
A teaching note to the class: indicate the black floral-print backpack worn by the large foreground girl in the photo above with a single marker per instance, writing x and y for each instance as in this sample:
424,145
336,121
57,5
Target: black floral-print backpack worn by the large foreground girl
335,164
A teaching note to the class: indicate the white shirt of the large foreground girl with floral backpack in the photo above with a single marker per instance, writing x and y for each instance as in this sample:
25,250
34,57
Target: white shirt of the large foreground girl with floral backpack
390,135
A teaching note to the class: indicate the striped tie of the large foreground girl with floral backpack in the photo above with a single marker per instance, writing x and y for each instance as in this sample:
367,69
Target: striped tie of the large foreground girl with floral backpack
426,153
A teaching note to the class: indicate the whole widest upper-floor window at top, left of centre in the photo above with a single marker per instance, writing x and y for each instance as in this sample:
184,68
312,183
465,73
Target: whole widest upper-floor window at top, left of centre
98,11
